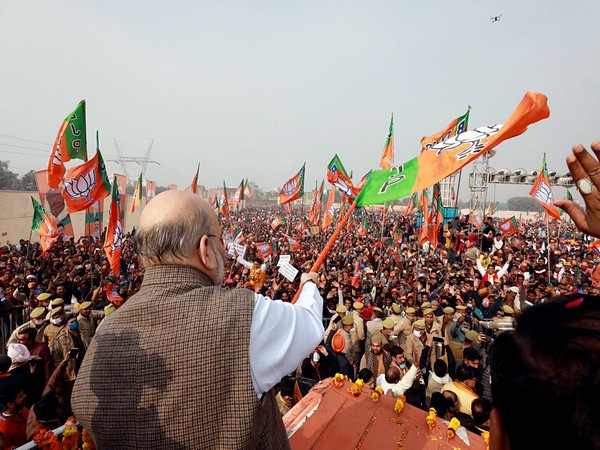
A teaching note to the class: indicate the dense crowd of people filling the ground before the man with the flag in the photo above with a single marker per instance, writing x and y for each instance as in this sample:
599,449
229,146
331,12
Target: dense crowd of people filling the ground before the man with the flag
416,320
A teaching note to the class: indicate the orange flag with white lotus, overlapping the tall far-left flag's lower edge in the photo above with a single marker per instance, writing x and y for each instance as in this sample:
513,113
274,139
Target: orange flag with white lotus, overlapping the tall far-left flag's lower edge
86,184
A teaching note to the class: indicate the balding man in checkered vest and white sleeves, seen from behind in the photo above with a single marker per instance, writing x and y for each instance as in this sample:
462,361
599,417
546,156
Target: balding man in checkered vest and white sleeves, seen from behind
160,372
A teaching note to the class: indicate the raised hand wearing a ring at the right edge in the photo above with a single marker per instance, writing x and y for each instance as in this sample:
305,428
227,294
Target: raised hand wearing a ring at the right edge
583,165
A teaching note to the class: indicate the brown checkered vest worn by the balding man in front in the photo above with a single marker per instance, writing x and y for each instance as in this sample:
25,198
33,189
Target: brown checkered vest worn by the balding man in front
161,374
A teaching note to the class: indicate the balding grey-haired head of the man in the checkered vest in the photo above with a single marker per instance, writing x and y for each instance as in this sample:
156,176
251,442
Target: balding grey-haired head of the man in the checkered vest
172,228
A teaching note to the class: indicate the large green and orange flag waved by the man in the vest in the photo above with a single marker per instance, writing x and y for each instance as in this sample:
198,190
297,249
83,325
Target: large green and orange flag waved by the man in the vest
449,156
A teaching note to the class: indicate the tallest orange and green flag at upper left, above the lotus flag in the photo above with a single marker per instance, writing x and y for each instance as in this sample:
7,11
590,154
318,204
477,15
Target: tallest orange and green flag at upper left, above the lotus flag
70,144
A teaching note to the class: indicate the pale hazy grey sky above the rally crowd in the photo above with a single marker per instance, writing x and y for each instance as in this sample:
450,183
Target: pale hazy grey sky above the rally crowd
255,88
